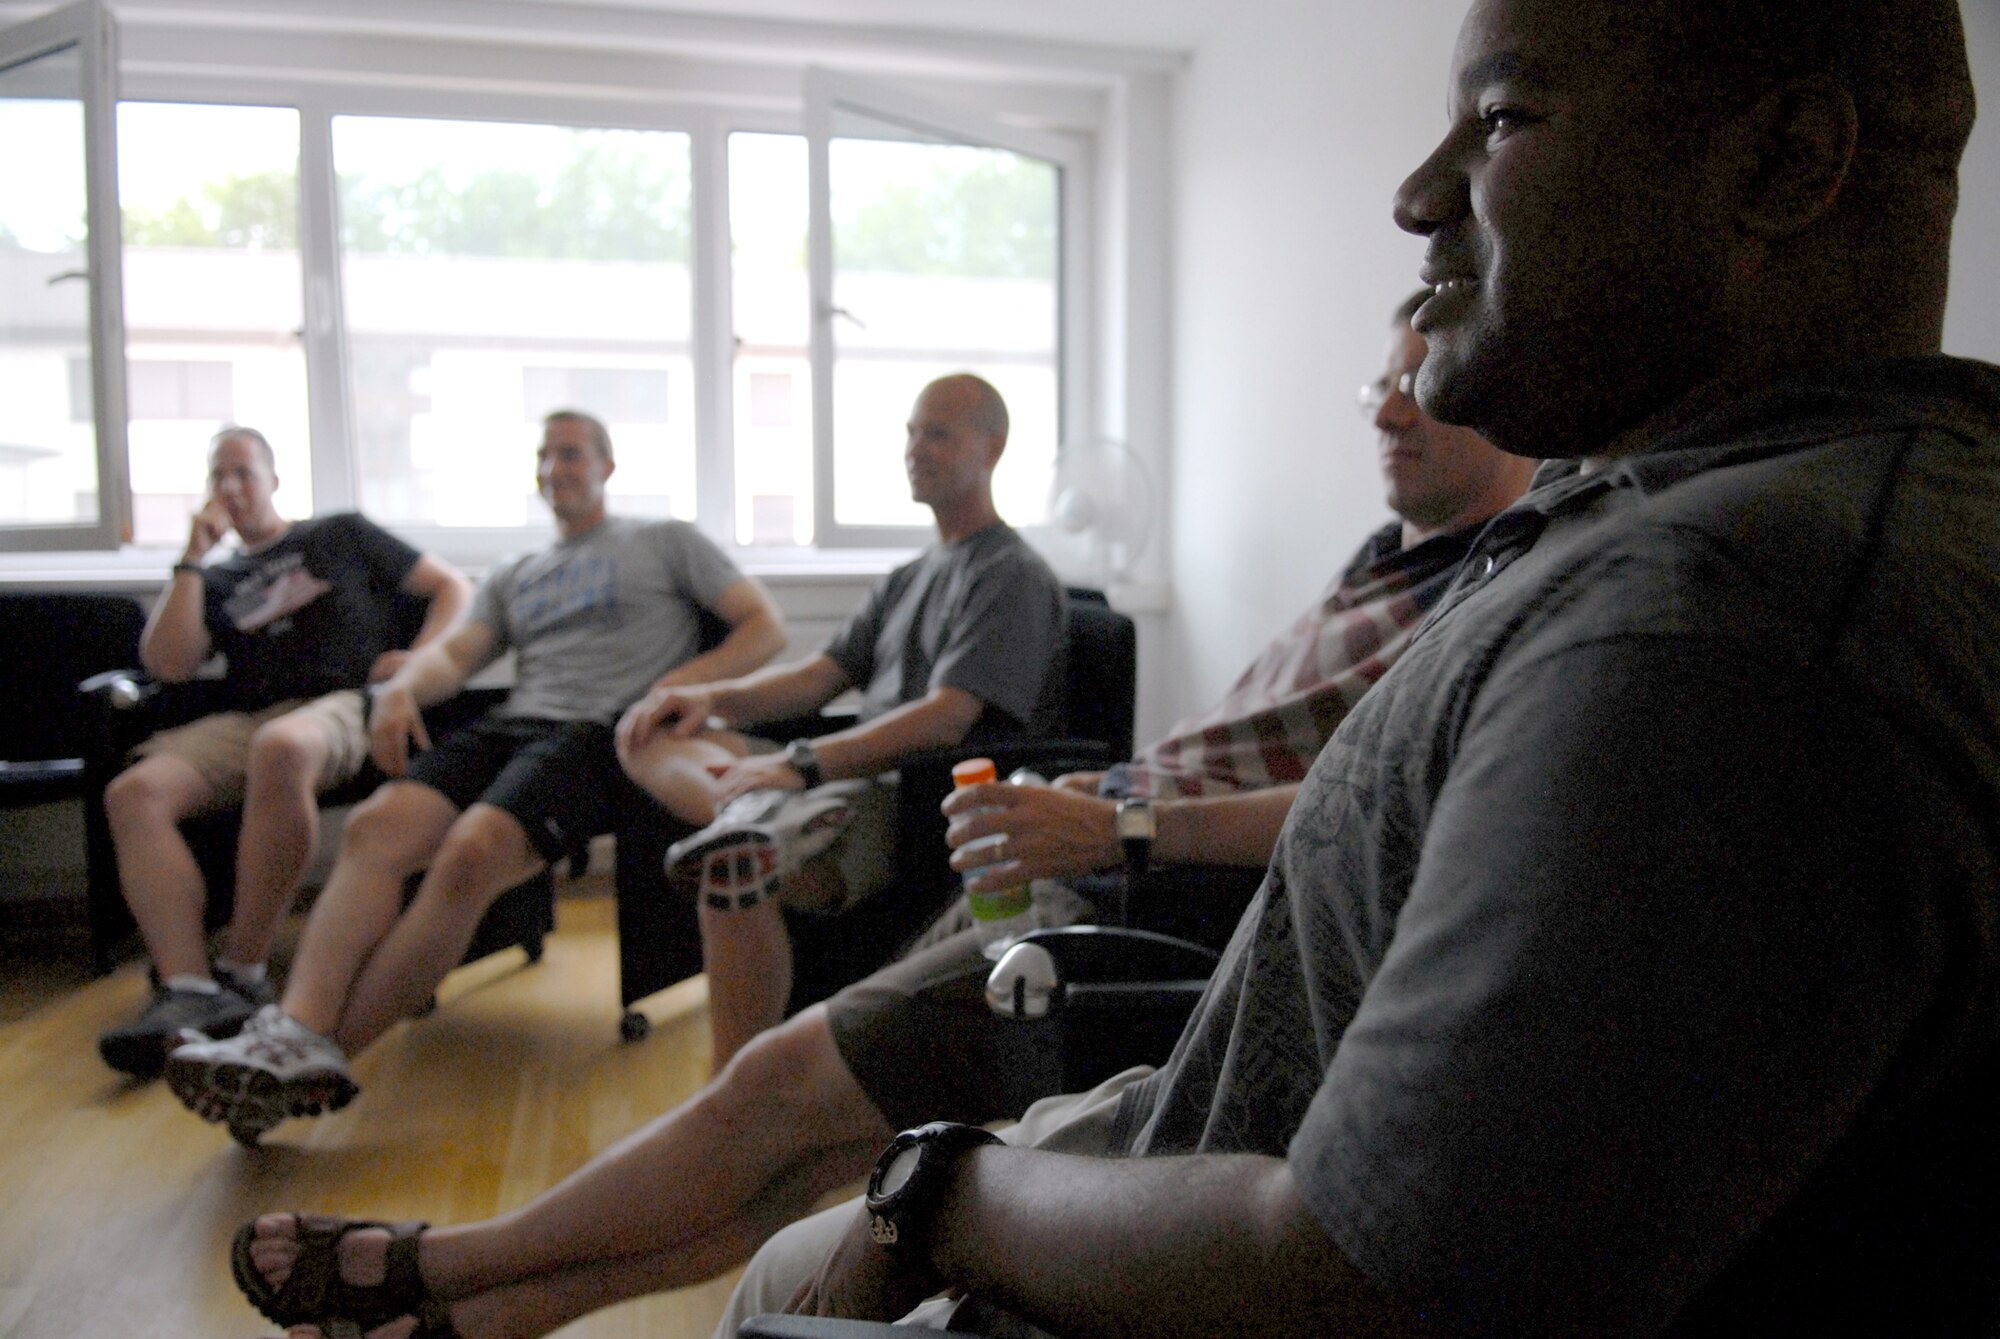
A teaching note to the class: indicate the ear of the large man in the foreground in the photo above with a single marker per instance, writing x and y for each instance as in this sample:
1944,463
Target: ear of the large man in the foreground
1801,141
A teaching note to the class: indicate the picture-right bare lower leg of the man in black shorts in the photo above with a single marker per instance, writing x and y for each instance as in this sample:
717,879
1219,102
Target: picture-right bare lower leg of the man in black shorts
485,854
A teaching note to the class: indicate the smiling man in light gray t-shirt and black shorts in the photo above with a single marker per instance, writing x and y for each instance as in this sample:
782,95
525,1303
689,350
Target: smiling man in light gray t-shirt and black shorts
607,615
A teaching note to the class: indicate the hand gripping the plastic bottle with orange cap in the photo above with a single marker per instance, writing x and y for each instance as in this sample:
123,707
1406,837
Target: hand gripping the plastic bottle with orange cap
1049,834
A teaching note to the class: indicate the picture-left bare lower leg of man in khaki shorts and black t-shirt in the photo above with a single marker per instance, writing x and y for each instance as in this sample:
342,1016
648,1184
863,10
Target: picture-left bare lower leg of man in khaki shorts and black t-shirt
157,872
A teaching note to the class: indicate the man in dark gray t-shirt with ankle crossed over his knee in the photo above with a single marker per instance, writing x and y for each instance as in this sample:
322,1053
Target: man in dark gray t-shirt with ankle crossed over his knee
961,645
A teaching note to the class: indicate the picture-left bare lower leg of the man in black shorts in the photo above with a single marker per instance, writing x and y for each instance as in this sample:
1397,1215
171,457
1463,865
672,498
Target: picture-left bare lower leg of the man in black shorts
391,836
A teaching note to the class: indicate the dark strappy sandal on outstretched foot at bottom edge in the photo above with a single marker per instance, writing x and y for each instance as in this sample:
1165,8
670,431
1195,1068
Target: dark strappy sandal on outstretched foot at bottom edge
315,1294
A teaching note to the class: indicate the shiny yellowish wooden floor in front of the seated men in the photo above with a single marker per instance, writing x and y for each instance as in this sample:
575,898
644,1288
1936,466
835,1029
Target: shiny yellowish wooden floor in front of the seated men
117,1206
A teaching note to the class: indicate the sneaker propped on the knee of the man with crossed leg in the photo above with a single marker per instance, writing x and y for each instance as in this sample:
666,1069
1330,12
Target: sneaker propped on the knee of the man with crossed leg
759,838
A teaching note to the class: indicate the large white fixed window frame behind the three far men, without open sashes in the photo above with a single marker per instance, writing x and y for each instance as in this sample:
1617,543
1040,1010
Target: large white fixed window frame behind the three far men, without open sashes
701,75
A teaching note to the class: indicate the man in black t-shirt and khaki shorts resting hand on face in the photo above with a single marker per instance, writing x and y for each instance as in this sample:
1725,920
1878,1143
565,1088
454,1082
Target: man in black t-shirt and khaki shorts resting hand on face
305,617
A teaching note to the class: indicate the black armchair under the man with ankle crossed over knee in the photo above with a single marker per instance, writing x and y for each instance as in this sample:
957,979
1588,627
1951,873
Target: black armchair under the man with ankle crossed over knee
659,940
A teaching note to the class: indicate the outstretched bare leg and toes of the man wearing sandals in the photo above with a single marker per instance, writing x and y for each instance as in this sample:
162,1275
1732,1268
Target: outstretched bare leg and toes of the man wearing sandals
679,1202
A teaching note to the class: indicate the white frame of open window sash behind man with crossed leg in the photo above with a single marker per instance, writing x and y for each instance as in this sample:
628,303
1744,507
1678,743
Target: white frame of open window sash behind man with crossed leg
1075,339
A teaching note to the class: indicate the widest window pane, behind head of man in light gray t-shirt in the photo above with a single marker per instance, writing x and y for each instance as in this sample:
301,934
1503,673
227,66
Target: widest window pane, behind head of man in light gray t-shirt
495,273
